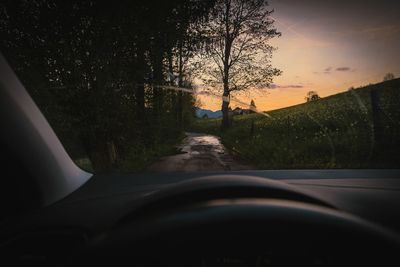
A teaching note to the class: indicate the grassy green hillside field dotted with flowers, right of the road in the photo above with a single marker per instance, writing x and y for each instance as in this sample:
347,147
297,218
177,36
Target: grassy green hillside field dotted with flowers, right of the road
346,130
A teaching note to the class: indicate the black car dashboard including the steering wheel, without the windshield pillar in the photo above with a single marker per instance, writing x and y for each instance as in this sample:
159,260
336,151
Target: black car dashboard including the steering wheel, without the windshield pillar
239,225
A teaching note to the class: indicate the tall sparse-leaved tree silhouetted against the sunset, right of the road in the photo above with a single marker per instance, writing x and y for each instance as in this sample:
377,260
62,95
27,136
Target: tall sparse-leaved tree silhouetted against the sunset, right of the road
237,54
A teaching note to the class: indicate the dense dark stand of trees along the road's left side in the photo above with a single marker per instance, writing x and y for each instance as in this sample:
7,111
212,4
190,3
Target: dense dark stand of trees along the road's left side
97,70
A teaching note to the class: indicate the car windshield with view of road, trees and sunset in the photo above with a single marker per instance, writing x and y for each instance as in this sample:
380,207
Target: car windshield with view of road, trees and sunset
214,85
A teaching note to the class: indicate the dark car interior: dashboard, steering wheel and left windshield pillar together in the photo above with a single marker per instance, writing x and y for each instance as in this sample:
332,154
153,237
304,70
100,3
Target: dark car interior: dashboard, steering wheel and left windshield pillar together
54,213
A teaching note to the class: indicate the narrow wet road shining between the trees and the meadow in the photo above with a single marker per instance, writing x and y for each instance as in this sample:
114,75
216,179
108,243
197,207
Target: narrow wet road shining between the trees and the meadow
200,152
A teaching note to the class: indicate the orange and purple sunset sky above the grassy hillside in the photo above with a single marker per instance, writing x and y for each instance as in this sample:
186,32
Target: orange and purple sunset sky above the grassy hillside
327,46
